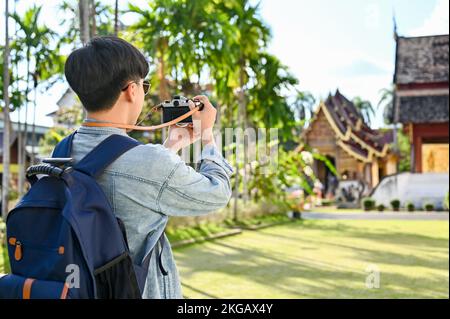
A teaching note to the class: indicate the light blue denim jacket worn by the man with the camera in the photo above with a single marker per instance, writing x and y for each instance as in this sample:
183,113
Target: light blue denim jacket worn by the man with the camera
148,184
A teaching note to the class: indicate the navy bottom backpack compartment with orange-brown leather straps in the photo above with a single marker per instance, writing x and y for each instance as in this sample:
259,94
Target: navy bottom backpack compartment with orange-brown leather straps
18,287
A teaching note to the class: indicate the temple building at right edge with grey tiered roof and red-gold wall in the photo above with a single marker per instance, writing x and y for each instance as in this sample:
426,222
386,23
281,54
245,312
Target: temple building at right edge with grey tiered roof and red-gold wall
421,100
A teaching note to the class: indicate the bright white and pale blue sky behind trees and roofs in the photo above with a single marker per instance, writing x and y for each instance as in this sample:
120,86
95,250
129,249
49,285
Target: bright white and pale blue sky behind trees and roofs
327,44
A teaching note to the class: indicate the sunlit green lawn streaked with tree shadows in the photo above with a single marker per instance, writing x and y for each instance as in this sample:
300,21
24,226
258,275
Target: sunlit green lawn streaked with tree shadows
321,259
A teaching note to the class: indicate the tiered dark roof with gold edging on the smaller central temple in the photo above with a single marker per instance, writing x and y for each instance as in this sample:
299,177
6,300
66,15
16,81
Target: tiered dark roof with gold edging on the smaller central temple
353,135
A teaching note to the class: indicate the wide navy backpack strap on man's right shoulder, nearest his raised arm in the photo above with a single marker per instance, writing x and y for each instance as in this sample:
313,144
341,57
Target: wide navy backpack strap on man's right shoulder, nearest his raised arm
105,153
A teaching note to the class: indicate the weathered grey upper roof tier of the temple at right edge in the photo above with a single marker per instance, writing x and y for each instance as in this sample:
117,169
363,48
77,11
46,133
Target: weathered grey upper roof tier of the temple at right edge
422,60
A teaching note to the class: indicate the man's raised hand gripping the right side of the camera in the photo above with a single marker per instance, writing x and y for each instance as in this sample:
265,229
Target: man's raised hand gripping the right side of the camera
204,120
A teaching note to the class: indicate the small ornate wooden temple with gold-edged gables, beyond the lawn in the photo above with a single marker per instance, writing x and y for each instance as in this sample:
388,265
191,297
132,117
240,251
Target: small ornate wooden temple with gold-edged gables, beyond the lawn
359,153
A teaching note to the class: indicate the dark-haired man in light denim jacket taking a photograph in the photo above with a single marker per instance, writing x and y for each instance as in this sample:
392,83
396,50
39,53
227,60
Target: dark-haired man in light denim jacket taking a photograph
150,182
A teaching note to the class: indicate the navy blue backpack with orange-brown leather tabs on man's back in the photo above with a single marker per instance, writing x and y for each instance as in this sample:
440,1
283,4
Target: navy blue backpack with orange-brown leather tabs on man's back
63,238
